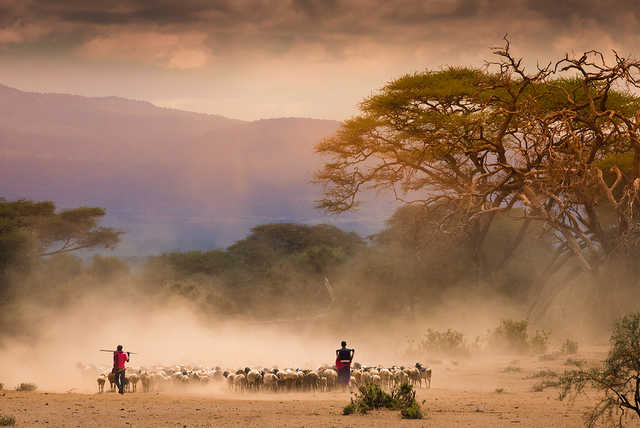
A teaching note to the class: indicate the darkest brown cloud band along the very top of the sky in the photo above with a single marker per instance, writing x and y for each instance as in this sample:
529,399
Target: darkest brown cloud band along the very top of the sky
367,18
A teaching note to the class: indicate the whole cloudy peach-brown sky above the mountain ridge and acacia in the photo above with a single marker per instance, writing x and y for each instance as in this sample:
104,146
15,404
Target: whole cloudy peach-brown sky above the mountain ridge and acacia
253,59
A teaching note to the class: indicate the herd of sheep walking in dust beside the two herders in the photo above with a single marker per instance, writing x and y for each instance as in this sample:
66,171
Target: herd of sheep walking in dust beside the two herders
322,379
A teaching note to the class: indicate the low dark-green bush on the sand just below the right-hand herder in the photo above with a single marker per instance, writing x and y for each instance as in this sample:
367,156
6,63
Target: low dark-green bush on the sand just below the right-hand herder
371,397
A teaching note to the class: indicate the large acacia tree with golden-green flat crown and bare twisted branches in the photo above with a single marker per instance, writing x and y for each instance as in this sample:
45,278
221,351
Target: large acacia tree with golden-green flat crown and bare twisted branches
500,139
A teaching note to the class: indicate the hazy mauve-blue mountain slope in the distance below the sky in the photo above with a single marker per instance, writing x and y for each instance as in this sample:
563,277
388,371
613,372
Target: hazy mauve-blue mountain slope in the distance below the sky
172,179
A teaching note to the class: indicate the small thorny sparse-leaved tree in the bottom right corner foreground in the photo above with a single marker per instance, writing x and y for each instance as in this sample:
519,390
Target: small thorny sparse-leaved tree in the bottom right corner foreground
618,379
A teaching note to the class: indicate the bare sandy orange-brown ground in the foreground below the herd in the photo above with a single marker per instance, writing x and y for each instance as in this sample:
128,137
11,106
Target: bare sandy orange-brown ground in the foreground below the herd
463,394
